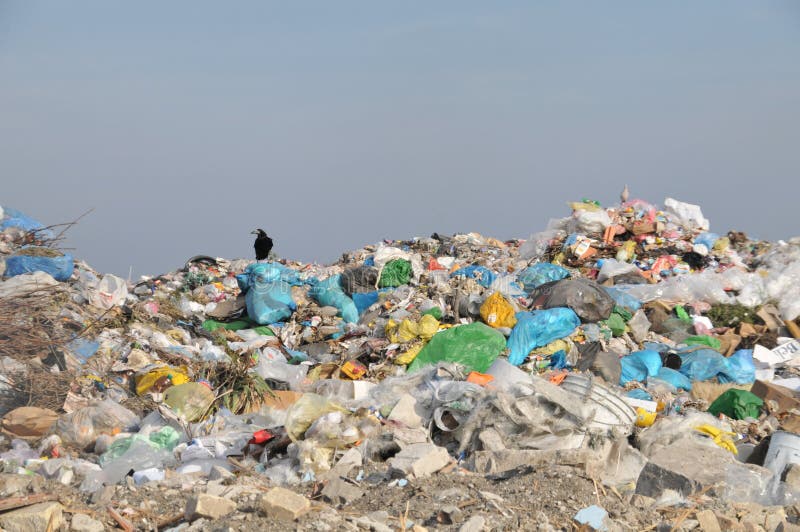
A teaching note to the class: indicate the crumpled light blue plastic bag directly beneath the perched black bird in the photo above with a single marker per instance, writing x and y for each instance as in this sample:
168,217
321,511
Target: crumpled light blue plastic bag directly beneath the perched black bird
268,298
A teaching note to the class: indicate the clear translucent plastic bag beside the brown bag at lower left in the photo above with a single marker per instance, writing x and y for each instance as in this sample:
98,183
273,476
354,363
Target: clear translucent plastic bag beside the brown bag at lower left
83,426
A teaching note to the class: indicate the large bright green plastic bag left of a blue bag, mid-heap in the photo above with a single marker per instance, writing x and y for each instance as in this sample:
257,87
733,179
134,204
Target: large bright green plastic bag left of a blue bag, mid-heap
475,345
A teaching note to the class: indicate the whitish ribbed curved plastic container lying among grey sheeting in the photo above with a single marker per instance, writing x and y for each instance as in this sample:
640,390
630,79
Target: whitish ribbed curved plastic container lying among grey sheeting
611,410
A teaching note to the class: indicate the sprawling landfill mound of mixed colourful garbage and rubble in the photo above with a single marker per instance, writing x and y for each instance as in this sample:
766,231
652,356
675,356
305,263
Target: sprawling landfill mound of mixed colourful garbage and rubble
626,368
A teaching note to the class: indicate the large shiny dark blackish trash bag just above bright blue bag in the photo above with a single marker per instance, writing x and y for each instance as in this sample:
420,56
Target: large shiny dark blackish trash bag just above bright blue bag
587,298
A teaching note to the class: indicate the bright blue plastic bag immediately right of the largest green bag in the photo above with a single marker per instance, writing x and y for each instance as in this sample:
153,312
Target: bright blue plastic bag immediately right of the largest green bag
538,328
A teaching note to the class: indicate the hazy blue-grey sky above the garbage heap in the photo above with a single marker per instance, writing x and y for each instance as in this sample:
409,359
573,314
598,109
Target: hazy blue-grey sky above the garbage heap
187,124
